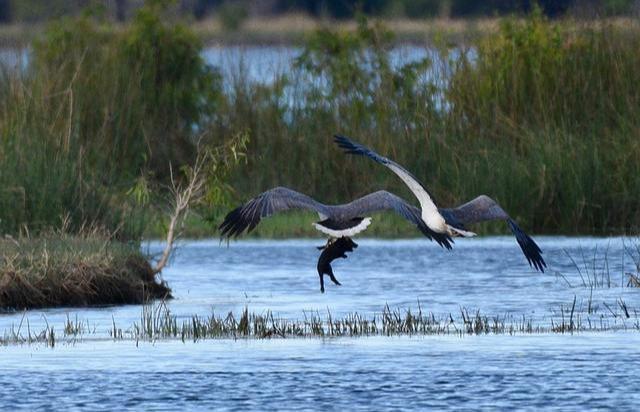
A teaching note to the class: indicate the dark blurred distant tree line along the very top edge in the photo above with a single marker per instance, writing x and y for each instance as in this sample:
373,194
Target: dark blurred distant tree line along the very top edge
30,11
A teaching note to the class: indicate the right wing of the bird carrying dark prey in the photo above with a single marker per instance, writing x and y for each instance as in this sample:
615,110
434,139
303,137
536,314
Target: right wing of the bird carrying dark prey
383,200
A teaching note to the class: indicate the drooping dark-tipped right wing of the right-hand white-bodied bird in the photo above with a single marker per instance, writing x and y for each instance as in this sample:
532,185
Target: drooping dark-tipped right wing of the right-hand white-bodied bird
482,209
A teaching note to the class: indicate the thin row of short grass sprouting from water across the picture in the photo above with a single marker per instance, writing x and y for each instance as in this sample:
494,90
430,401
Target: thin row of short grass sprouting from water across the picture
158,323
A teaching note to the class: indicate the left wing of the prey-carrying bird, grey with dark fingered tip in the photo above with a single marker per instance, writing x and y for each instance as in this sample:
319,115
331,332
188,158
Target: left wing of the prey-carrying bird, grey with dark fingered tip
265,204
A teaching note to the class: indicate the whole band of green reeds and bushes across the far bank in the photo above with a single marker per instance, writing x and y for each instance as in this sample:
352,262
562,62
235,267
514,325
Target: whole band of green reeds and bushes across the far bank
542,115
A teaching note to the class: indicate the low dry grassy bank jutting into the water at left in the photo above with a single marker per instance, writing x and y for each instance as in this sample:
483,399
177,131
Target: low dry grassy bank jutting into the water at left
74,270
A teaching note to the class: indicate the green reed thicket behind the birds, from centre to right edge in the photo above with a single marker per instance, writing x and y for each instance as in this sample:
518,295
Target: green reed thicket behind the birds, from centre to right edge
542,116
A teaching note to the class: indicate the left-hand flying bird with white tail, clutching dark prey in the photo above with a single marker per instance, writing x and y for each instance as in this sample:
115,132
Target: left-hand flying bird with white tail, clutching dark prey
339,222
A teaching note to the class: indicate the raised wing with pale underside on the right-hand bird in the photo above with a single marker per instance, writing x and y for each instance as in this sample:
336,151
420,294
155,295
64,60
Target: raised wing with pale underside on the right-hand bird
427,202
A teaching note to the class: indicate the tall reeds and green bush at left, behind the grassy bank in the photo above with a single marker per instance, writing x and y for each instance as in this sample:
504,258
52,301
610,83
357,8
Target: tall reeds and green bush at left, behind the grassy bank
96,110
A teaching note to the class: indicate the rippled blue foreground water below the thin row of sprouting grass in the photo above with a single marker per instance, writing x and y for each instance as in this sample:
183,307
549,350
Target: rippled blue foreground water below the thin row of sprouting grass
562,372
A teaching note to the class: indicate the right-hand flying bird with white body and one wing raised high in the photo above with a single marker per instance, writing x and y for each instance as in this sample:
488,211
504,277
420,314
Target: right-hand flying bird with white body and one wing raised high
451,222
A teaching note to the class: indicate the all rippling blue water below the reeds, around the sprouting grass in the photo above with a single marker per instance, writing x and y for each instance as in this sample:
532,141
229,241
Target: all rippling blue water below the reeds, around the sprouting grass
589,370
